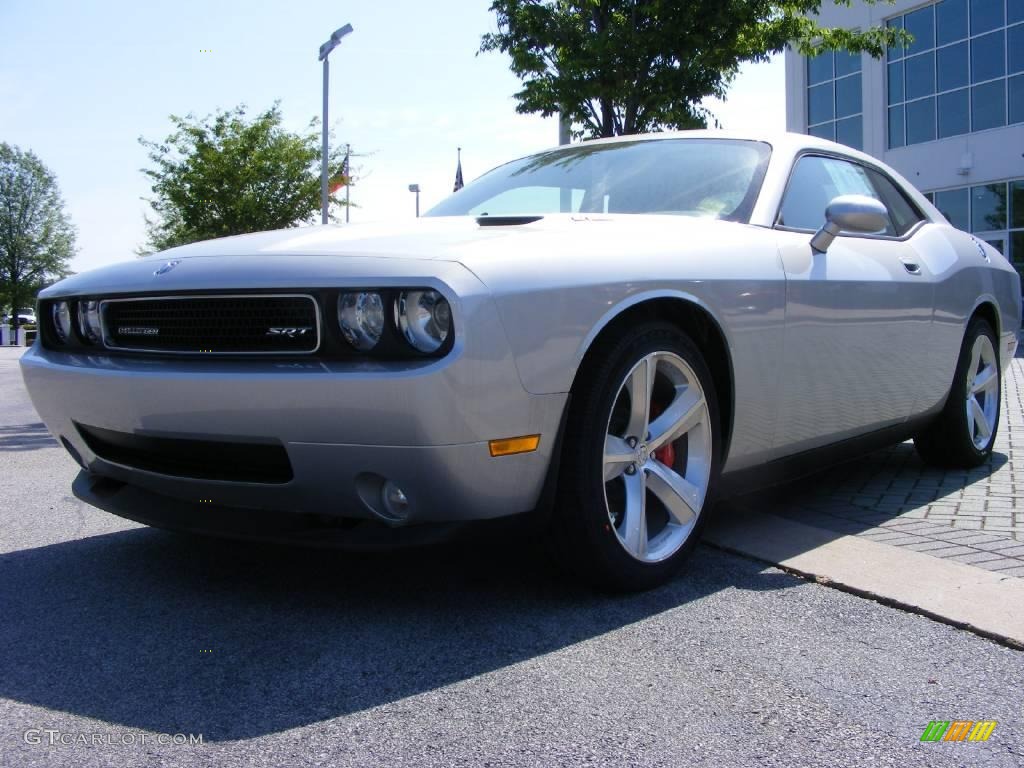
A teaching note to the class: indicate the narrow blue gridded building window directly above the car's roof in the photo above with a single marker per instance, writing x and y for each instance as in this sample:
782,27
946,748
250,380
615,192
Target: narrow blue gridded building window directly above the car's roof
835,106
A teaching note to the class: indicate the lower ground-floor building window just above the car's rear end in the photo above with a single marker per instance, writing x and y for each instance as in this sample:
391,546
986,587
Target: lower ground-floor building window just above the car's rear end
994,212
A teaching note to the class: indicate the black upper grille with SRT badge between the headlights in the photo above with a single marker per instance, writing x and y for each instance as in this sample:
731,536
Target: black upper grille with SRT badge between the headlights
220,325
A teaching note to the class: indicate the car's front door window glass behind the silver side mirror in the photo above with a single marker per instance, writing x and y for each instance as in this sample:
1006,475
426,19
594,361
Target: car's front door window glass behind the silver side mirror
816,183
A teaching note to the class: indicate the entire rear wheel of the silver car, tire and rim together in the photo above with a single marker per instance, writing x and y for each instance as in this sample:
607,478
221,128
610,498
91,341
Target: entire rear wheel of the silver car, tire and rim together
964,434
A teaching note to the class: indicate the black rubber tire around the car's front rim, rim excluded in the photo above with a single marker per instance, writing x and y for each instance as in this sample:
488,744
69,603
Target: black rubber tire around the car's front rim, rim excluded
581,534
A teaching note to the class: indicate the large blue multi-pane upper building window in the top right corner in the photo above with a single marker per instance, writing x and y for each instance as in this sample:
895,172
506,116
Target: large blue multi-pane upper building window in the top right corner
963,73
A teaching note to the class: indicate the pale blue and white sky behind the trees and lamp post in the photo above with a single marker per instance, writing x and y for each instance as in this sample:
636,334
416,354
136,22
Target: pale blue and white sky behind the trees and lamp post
82,80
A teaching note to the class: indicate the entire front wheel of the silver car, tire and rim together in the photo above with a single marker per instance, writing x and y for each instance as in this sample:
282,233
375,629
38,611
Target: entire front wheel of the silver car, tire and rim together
641,459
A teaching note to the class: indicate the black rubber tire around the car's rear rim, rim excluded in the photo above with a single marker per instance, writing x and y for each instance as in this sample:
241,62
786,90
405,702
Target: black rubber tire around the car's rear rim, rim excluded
949,442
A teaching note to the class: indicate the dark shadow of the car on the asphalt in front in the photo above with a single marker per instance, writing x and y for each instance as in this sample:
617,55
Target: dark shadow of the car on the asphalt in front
178,634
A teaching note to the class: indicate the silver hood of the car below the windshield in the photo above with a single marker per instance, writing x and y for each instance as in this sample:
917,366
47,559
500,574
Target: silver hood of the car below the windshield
319,257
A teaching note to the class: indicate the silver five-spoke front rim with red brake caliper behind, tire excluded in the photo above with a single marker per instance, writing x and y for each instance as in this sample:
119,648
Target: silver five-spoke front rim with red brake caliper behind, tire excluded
660,413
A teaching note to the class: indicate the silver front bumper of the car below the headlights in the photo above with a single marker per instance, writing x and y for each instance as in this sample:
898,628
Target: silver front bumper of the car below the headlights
346,426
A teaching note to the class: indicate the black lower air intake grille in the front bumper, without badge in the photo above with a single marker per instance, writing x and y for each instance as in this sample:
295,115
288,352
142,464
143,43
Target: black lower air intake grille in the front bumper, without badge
205,460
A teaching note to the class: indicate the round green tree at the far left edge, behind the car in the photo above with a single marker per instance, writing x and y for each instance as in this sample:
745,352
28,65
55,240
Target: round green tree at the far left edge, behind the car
37,238
